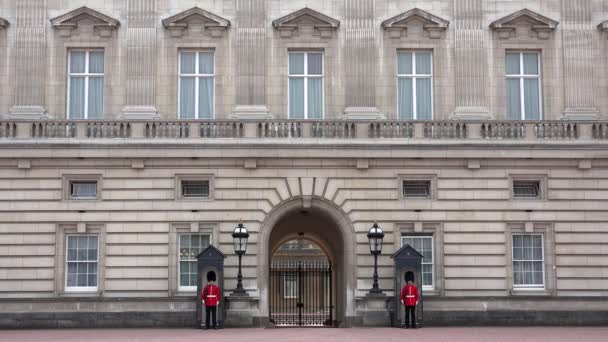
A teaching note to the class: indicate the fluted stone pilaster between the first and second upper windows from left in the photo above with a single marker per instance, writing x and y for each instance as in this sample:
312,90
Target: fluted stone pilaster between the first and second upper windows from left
141,60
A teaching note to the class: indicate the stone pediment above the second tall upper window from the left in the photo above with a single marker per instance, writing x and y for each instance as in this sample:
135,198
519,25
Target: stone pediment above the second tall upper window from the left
196,20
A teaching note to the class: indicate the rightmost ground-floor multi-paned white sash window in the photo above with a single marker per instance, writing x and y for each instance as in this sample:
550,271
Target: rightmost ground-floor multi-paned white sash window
528,261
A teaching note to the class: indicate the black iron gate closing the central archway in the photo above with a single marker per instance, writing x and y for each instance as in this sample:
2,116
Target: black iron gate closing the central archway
301,293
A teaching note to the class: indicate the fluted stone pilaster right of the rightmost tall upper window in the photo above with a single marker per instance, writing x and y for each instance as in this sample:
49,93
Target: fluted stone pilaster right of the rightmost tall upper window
577,40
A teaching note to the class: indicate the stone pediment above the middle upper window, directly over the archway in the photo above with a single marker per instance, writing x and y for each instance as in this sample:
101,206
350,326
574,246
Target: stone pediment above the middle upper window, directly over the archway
306,22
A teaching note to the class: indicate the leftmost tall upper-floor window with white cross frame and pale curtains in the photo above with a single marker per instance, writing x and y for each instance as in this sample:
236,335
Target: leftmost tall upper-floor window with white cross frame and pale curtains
85,84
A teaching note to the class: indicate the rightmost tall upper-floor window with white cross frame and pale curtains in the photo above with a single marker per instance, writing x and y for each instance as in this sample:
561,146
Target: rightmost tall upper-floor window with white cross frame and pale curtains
523,86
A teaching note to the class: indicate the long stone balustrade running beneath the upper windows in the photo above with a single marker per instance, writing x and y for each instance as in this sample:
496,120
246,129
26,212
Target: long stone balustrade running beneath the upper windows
305,129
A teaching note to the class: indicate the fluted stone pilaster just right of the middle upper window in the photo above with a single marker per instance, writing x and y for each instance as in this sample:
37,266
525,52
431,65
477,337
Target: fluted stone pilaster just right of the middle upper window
360,72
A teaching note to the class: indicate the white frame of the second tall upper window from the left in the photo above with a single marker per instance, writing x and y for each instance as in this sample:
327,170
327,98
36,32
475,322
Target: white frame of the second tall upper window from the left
197,76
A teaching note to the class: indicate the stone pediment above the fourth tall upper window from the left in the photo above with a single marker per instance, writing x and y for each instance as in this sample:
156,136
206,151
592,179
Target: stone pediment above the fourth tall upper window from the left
397,25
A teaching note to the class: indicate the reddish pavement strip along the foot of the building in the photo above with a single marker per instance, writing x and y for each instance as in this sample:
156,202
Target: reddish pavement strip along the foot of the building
498,334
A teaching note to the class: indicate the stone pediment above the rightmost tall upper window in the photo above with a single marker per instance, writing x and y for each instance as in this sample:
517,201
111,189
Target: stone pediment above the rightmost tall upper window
507,26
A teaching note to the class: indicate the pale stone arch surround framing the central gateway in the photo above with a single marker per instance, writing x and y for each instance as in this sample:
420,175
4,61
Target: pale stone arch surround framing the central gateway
345,255
